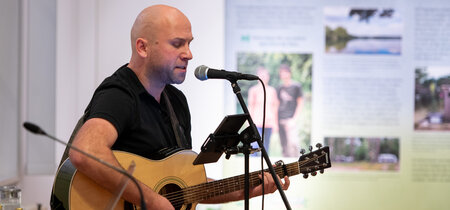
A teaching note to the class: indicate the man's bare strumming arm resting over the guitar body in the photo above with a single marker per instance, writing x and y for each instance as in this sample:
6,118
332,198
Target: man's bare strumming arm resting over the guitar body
96,137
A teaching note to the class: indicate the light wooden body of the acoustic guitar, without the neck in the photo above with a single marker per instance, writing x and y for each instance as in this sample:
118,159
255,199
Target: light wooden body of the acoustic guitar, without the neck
175,172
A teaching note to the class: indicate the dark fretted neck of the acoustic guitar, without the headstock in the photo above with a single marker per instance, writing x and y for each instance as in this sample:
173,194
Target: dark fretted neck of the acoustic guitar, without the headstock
208,190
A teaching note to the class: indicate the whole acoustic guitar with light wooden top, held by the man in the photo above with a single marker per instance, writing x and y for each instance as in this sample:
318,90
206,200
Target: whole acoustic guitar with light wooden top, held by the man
174,177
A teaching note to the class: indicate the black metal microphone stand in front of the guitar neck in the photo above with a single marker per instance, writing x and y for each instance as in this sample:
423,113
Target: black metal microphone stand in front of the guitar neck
247,147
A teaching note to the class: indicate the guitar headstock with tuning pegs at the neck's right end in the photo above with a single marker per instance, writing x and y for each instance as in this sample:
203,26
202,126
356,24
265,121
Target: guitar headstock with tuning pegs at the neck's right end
314,161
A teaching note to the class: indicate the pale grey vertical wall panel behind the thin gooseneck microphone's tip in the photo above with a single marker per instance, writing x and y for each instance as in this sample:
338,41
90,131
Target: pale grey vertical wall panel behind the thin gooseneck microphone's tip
37,58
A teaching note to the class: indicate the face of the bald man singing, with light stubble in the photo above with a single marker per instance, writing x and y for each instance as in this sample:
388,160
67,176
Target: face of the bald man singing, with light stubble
170,52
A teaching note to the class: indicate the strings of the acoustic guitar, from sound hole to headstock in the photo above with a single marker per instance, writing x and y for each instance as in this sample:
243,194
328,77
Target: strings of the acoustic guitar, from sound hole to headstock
220,187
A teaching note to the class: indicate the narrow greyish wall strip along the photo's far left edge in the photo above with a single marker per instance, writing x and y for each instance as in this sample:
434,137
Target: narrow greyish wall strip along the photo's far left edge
9,91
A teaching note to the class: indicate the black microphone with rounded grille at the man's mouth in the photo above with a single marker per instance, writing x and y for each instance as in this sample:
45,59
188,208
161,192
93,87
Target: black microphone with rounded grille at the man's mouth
203,73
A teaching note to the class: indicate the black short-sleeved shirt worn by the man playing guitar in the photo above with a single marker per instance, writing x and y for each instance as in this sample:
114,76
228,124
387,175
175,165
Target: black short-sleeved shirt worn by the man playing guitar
143,125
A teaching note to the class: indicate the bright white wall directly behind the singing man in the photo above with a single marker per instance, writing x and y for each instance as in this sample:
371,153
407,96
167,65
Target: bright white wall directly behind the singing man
93,41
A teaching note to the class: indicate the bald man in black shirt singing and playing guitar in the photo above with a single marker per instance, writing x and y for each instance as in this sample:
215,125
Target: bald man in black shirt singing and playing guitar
129,110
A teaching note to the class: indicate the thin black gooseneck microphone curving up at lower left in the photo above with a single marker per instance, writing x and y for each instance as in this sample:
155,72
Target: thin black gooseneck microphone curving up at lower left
37,130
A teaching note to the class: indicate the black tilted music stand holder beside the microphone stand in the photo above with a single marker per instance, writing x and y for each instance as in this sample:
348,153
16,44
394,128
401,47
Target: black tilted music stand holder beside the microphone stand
224,137
